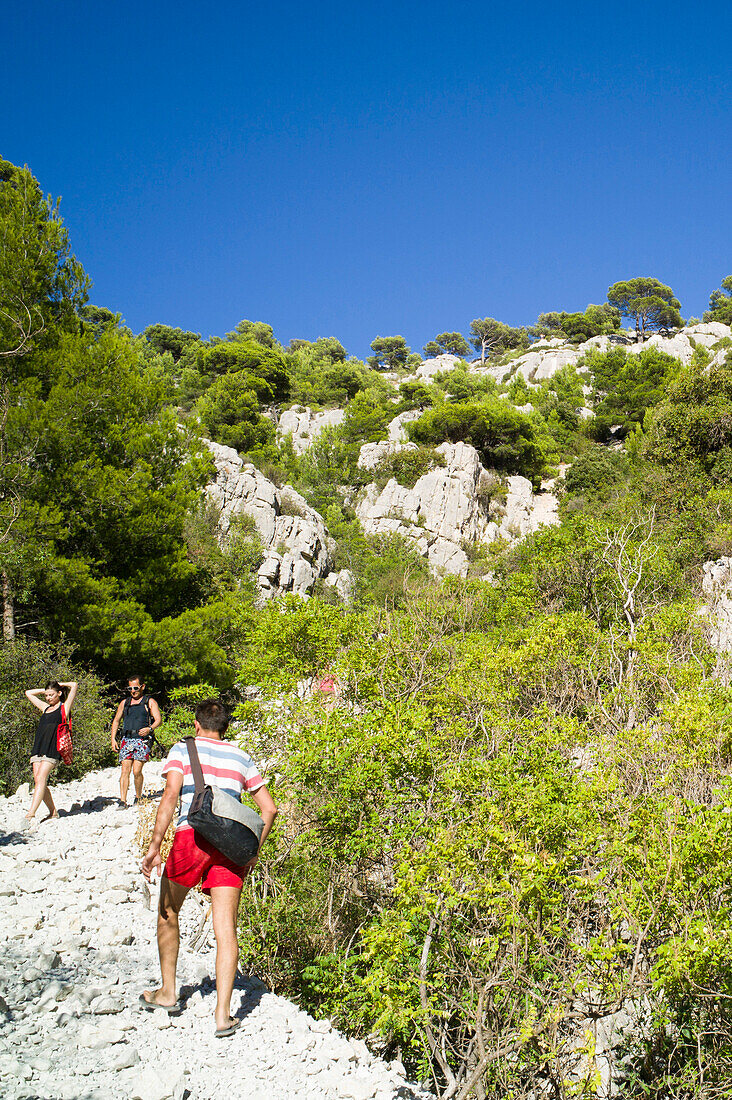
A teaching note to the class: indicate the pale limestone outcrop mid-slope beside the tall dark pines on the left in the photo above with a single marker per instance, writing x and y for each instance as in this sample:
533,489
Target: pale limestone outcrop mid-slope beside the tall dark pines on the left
294,536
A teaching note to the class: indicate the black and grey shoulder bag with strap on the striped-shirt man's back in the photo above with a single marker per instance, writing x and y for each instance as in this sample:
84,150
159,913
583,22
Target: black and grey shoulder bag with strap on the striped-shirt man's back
234,830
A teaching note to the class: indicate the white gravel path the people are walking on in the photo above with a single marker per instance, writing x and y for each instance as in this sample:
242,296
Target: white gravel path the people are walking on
78,947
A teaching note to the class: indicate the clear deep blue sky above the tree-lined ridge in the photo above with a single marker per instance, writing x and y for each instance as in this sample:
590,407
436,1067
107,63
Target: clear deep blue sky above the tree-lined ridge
376,169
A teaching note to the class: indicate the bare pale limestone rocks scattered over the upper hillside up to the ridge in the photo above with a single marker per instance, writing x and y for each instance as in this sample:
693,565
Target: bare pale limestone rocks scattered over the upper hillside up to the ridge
451,513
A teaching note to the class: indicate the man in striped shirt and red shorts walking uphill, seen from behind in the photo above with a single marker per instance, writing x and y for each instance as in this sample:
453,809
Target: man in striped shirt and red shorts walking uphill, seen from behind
194,861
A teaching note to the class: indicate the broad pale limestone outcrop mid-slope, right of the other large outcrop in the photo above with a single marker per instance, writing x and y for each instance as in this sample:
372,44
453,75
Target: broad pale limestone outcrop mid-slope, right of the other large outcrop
454,508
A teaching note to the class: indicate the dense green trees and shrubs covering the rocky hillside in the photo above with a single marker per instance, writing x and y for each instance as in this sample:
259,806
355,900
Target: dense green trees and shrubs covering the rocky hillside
514,829
